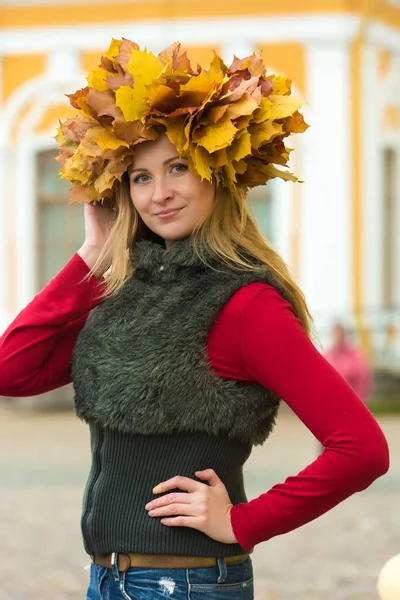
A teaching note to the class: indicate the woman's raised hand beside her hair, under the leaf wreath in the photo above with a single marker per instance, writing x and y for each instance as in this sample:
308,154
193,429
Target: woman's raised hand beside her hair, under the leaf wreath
99,220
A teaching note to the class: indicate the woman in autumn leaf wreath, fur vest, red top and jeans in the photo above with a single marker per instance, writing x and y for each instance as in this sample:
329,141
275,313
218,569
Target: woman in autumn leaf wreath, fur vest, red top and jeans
181,328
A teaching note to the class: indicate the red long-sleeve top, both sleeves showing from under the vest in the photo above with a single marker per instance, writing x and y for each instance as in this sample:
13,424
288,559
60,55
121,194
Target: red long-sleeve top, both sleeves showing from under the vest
256,337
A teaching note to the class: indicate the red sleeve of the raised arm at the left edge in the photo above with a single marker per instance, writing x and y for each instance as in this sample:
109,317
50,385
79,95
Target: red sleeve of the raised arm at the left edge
36,349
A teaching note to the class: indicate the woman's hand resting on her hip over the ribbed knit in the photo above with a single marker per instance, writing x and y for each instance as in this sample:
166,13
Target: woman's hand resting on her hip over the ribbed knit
203,507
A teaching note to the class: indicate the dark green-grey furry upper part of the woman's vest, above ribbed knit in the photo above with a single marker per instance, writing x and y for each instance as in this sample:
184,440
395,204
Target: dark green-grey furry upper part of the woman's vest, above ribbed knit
140,366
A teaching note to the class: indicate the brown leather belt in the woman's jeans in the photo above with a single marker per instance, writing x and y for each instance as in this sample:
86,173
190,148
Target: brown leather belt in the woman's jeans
161,561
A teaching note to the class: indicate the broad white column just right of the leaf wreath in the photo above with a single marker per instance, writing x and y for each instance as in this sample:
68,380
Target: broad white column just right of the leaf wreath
326,256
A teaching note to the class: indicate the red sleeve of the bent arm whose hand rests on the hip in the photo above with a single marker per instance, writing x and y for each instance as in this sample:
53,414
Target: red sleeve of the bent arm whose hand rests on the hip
273,349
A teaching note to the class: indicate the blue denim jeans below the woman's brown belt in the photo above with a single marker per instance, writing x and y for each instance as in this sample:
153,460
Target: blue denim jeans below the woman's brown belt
224,582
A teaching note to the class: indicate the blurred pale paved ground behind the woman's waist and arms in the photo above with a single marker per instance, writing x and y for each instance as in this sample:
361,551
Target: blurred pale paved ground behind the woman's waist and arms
44,461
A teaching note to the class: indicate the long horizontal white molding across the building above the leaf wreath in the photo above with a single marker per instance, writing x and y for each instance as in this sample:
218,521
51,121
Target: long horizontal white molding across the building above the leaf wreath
155,34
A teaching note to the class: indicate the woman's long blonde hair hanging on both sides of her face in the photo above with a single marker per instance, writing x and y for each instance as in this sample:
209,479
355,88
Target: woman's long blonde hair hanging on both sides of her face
229,232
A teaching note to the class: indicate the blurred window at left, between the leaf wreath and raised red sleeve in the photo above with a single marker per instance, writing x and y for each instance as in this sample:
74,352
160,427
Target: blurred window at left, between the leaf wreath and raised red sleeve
60,226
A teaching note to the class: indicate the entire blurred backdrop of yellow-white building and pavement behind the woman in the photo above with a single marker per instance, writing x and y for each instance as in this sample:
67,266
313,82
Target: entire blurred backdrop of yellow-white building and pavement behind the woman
339,231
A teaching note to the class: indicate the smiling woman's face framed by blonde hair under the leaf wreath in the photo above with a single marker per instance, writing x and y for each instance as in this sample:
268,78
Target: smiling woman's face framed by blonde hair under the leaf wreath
169,198
